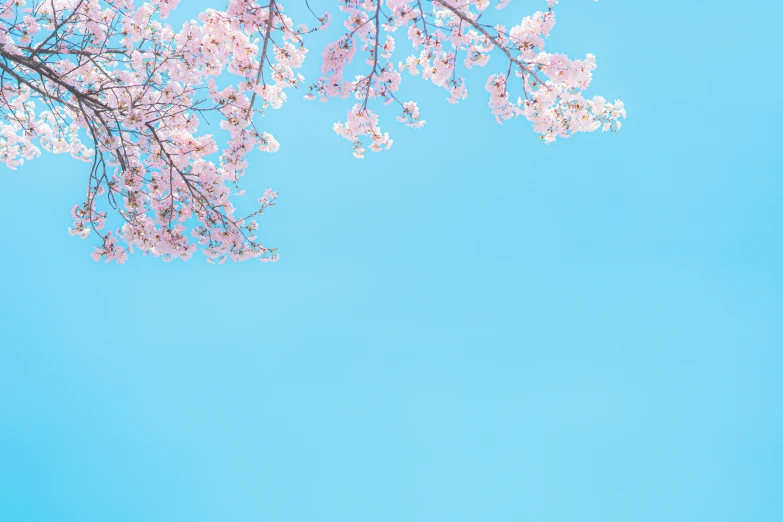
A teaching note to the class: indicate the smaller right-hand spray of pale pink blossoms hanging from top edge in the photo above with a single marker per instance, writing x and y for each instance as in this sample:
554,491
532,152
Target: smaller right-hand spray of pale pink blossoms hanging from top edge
449,34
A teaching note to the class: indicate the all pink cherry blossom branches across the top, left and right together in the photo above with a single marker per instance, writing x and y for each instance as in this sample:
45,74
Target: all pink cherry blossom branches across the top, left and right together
111,84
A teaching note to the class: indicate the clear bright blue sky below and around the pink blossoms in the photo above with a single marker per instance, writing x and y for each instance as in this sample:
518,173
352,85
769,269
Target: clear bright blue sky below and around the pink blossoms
509,332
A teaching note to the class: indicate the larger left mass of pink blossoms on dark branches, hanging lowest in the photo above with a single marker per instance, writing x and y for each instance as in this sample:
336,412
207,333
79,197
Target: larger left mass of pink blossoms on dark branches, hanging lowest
115,74
